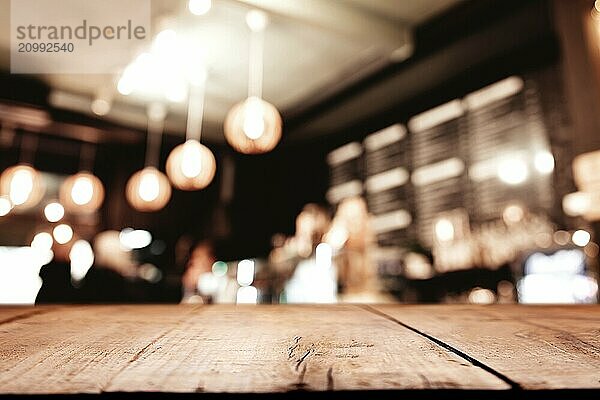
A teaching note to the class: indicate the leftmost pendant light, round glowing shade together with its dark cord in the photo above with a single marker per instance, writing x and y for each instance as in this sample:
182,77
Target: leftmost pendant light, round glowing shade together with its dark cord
22,184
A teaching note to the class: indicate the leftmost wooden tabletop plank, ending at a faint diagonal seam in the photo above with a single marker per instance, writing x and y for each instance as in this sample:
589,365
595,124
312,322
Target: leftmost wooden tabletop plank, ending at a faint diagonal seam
78,349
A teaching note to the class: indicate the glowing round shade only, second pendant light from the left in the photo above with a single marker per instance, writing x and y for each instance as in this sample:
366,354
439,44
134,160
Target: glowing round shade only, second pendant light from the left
82,193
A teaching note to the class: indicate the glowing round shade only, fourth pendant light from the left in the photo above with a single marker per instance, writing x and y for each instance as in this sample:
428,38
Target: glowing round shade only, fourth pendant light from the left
191,166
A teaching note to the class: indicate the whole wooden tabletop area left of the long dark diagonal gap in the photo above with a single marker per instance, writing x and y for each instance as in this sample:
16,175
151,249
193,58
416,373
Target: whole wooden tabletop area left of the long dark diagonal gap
99,349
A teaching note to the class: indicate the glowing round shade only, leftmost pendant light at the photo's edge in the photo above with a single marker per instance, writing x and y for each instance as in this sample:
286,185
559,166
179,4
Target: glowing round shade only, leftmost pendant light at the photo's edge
23,185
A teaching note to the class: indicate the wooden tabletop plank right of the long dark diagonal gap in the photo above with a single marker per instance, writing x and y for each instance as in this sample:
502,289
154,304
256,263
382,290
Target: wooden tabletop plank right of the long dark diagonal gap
539,347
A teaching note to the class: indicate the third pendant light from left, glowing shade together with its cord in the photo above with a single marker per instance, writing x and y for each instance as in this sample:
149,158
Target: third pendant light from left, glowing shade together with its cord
148,189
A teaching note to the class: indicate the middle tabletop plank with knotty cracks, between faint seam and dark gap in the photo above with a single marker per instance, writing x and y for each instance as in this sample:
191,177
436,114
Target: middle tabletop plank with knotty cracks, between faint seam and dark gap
274,349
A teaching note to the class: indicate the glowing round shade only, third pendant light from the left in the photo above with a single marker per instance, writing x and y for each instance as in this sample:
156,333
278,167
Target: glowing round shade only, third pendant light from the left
148,190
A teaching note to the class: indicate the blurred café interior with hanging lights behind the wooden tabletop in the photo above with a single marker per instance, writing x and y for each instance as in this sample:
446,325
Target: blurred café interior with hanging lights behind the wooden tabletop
265,151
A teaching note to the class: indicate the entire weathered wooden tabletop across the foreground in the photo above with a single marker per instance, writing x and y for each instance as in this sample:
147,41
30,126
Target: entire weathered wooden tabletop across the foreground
331,349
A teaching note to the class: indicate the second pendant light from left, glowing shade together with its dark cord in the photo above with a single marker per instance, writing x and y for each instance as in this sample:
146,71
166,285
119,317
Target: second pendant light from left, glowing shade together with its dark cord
82,192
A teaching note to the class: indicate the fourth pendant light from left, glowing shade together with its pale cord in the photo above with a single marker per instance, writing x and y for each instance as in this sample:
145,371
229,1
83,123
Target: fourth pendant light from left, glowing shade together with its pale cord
191,165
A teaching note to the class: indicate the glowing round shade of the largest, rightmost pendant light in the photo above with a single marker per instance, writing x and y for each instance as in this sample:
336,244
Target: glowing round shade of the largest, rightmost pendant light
253,126
